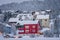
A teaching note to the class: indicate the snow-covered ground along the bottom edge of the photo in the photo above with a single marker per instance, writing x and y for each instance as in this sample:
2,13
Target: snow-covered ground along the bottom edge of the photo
30,38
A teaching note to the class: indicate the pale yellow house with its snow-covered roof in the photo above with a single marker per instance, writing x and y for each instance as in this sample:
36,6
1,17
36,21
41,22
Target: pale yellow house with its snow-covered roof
43,19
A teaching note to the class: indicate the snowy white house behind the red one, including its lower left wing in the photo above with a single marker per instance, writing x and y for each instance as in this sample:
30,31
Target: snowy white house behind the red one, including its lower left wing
20,17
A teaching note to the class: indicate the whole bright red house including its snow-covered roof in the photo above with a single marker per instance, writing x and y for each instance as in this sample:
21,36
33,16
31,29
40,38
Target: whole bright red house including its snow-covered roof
29,27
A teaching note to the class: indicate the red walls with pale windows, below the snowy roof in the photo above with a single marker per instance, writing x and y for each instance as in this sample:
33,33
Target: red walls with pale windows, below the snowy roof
33,28
